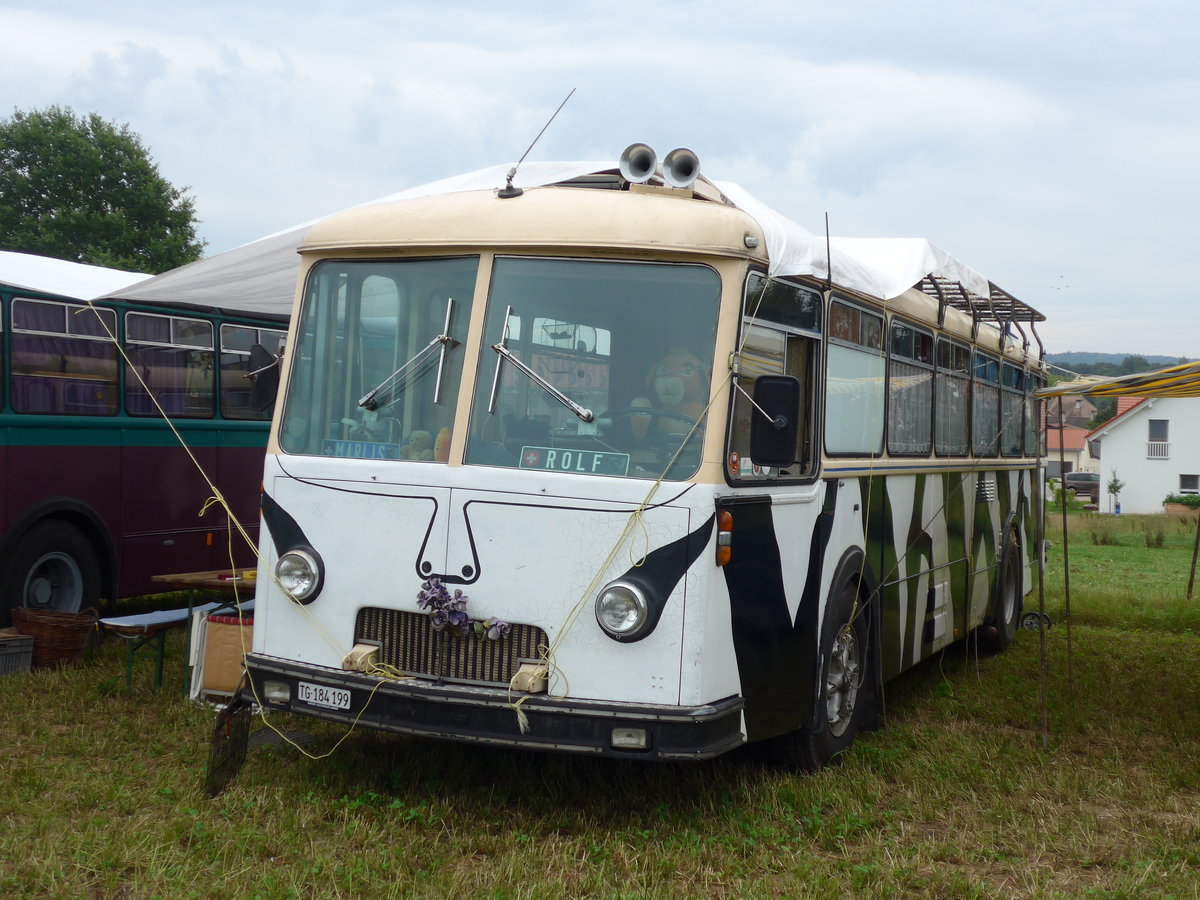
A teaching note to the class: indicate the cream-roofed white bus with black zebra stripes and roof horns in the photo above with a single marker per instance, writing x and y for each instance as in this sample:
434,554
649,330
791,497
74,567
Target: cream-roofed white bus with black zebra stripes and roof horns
607,463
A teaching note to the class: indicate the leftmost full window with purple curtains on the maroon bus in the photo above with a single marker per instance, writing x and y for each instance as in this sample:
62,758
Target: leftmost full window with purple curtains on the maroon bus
63,375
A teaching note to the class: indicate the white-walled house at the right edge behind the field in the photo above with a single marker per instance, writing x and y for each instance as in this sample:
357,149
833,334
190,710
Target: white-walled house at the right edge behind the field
1154,447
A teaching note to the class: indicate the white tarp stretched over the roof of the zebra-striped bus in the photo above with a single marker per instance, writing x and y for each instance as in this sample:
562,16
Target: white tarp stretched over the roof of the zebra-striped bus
260,278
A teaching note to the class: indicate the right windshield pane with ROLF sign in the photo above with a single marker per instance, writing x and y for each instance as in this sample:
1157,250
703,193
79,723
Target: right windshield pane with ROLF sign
596,368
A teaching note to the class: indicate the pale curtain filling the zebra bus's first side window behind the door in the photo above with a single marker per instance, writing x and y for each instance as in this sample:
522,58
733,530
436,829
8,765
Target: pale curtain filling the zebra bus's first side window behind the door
854,401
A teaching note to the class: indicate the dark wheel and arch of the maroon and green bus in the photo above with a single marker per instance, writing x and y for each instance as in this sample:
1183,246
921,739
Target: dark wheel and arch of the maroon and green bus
53,567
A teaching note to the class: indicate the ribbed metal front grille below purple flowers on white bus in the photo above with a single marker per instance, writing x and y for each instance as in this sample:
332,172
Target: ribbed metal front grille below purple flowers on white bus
409,643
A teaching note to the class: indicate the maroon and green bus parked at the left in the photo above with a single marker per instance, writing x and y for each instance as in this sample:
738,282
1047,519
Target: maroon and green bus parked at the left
97,495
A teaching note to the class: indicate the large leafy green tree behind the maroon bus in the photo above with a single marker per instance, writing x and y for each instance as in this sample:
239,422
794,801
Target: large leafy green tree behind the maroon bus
86,190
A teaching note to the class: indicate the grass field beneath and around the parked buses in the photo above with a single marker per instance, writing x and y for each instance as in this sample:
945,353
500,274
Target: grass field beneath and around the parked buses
956,799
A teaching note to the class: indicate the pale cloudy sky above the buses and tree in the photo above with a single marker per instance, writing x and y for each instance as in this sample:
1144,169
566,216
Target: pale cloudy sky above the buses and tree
1052,146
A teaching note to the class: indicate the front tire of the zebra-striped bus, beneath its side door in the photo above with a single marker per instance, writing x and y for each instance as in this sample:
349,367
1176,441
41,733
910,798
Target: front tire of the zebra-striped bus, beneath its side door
843,691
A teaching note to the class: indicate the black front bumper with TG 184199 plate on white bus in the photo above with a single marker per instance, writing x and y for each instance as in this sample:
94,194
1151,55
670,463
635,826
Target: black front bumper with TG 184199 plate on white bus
485,716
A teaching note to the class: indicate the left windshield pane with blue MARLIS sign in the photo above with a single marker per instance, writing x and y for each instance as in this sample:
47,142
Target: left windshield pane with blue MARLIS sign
379,359
